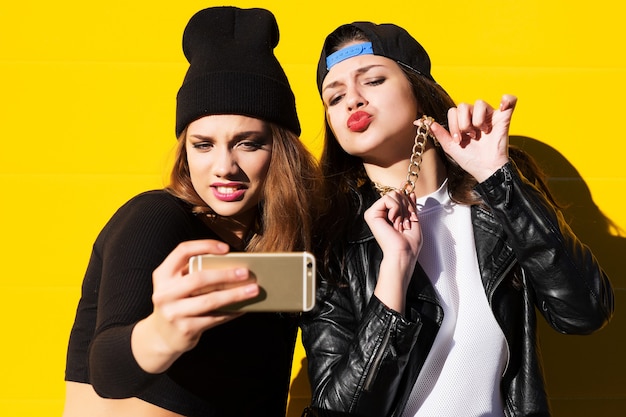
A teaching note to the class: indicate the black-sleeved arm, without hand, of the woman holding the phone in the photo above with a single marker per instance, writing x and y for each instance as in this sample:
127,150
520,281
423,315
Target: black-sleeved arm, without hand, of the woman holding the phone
129,248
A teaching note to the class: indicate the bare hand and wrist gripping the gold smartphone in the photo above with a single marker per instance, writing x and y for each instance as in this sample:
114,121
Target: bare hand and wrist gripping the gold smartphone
186,305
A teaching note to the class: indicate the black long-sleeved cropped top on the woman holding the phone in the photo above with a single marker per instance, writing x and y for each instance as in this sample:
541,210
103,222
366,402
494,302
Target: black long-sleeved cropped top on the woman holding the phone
238,368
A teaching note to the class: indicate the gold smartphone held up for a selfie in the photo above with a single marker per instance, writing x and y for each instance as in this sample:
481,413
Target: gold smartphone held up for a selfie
286,279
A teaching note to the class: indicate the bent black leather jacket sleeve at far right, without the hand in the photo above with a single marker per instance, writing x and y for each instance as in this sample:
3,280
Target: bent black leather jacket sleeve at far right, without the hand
572,291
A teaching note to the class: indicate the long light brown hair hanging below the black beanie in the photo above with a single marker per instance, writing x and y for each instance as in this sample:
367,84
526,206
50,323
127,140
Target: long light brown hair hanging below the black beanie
290,197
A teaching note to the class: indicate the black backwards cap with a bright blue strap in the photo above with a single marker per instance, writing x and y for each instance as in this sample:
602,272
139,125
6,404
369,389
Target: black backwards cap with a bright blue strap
386,40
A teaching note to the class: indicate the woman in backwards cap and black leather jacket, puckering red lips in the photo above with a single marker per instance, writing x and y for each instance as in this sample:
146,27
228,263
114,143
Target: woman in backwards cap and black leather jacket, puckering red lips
428,294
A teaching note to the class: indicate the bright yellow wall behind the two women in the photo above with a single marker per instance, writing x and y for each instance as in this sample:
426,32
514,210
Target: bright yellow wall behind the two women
87,120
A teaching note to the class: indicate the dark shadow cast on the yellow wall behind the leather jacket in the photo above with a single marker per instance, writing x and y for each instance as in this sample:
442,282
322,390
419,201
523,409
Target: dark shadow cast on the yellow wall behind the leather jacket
585,375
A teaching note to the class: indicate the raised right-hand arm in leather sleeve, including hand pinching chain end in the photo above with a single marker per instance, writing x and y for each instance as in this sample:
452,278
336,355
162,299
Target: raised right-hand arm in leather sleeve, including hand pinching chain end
573,292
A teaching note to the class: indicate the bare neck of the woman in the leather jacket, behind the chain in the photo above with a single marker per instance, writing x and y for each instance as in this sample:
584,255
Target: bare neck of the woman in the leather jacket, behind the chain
431,175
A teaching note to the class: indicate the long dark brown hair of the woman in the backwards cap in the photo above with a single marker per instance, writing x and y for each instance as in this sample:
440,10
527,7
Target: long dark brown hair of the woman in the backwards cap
345,175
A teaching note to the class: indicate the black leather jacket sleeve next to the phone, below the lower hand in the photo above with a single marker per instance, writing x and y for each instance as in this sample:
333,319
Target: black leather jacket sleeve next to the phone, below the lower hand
357,351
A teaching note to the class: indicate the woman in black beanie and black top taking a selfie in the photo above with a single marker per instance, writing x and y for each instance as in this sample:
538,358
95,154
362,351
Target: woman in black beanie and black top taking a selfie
149,337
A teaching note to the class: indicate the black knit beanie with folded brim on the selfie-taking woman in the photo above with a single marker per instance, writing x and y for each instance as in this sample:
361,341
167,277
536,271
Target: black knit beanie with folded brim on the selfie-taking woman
233,70
